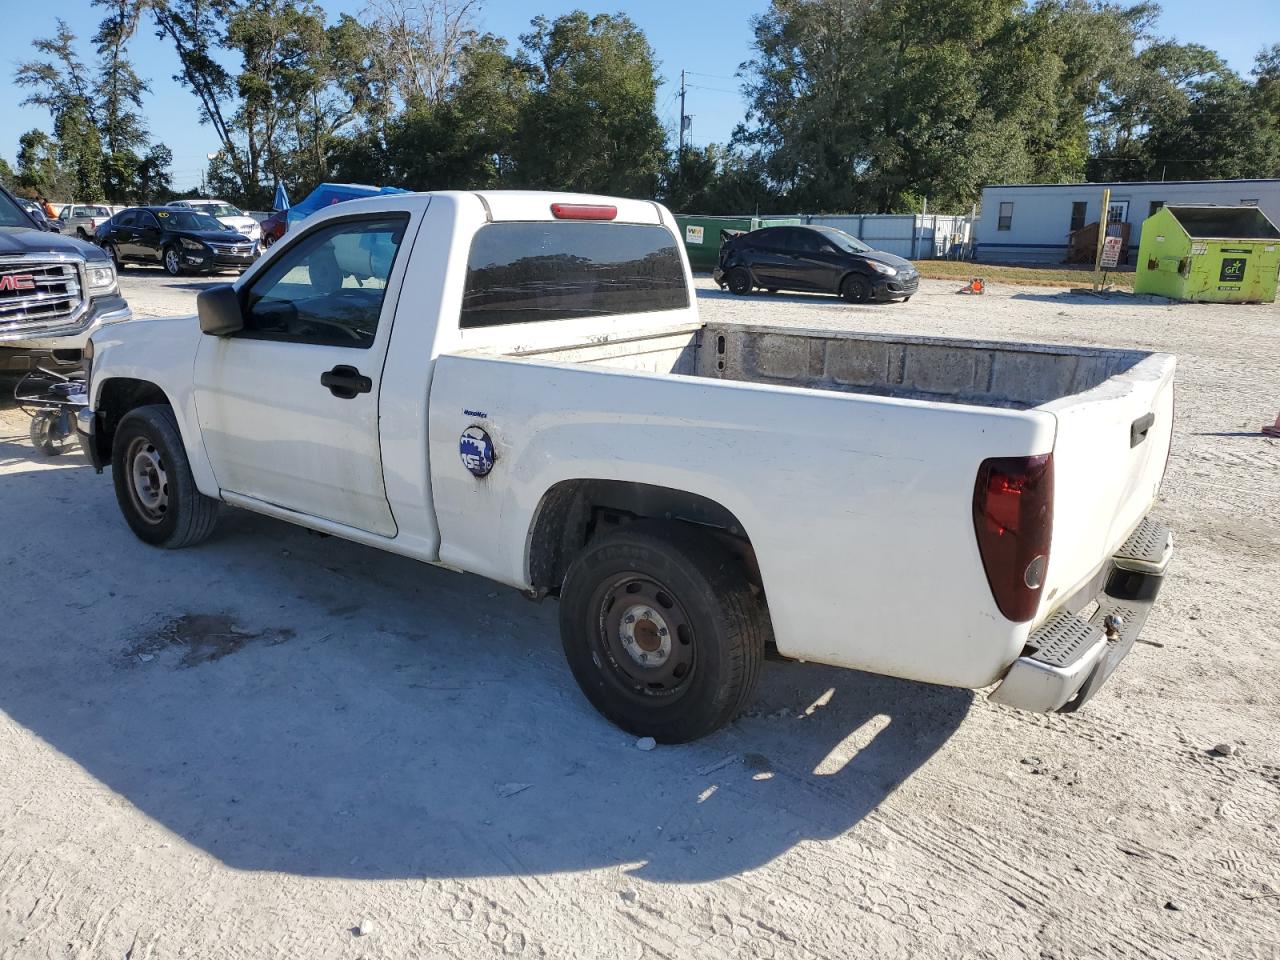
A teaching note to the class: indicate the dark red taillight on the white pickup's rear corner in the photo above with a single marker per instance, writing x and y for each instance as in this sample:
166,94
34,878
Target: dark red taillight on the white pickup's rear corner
1013,515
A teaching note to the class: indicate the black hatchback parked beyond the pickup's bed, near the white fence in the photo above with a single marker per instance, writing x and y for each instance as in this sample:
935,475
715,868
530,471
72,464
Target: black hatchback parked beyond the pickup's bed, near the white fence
813,259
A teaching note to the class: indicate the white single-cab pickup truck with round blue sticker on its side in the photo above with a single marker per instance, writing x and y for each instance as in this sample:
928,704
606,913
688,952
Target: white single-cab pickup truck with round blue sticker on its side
519,386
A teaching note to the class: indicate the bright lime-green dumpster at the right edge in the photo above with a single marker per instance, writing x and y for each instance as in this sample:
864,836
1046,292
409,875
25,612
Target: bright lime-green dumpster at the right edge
1215,254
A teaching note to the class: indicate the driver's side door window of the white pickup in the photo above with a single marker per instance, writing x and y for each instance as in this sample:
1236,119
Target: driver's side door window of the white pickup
327,289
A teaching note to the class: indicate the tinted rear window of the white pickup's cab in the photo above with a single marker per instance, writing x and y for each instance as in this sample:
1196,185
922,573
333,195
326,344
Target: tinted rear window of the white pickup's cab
525,272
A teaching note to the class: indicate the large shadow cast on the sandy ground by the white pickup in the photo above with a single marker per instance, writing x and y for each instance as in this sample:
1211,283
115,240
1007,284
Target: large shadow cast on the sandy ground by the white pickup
301,705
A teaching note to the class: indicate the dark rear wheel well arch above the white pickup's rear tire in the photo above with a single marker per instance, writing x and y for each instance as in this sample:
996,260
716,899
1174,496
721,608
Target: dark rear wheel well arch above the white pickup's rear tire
573,513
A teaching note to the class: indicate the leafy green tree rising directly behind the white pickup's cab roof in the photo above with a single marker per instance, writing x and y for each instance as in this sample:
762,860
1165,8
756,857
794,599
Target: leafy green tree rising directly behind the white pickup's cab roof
591,121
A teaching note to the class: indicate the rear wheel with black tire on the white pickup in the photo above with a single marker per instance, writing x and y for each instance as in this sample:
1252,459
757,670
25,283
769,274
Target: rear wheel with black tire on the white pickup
708,661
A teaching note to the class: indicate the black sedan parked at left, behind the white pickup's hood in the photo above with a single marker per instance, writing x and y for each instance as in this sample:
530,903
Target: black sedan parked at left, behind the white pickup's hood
181,241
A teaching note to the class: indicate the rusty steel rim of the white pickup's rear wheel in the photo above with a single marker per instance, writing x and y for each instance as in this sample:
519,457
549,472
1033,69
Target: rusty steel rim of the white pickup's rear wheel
644,638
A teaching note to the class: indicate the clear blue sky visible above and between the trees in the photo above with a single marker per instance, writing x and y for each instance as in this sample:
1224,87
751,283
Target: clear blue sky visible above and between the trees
708,36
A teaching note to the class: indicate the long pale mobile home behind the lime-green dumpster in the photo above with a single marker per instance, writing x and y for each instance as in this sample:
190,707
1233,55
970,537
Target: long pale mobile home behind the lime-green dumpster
1031,222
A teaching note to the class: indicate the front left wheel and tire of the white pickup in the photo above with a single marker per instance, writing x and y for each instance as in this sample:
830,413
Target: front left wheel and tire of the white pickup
153,482
